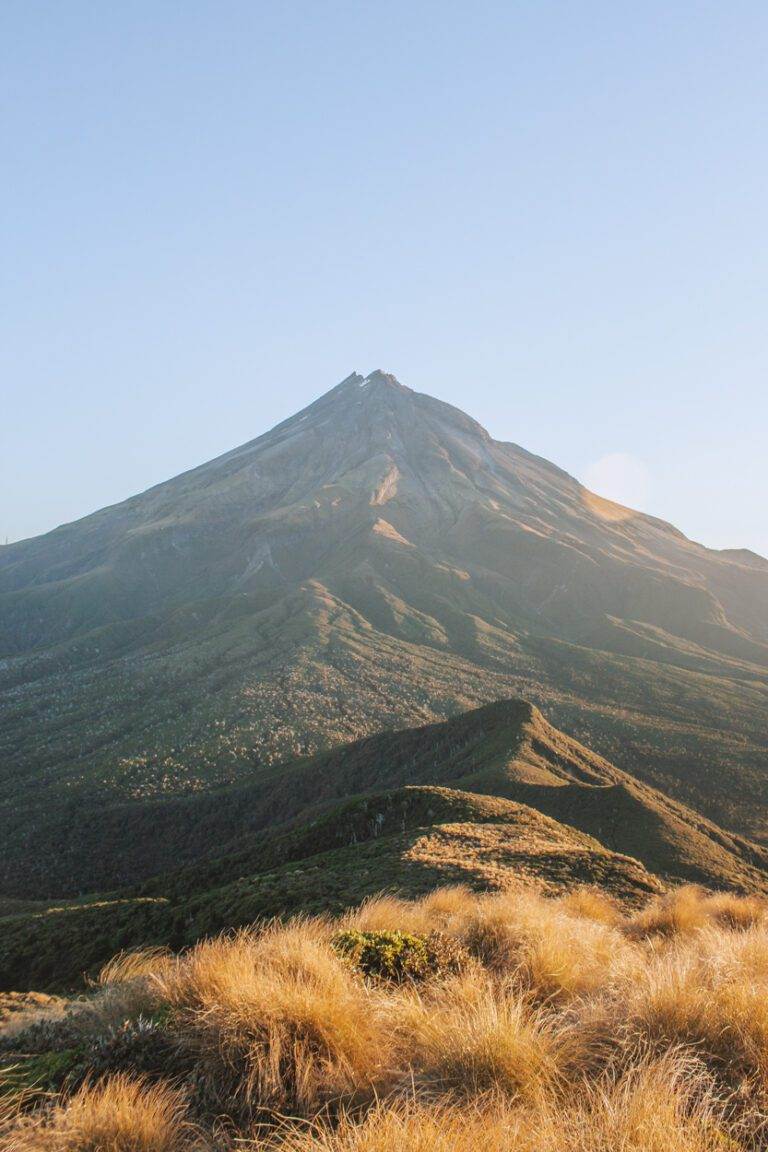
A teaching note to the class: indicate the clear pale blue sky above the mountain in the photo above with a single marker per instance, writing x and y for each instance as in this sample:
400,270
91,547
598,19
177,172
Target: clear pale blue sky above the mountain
553,215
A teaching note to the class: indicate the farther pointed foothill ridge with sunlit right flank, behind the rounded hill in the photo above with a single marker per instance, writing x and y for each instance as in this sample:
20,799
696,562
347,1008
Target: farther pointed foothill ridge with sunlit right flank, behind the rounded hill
505,751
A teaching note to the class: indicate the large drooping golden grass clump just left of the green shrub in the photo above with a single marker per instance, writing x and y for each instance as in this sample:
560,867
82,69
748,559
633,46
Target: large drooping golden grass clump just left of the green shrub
277,1020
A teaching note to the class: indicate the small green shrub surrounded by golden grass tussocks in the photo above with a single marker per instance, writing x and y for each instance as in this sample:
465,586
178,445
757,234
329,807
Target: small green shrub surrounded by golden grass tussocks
400,957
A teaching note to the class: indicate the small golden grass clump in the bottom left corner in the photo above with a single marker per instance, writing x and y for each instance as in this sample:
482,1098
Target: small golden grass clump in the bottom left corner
116,1116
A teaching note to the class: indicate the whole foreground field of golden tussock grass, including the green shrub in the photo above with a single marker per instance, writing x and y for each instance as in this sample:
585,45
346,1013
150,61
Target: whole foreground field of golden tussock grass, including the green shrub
510,1021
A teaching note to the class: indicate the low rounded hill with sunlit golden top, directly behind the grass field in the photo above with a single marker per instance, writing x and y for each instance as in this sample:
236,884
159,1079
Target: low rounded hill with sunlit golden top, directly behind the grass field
409,840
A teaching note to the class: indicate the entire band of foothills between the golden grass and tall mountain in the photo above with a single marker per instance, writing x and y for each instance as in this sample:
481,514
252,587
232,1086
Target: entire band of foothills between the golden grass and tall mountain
492,799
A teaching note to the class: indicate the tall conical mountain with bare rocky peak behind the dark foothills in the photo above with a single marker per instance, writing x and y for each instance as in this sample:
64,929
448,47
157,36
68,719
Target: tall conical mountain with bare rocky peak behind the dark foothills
375,562
